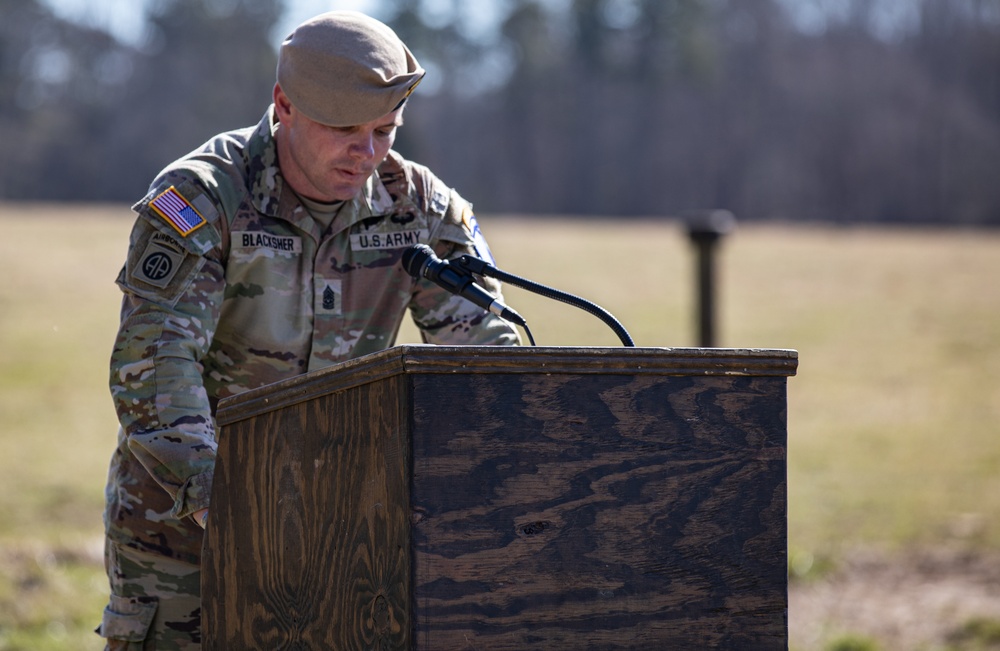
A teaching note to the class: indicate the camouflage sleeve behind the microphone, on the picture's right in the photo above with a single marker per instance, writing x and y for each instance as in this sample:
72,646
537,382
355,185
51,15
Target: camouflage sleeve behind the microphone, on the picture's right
444,318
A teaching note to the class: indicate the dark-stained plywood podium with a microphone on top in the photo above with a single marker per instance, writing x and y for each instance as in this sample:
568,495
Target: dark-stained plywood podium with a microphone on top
481,497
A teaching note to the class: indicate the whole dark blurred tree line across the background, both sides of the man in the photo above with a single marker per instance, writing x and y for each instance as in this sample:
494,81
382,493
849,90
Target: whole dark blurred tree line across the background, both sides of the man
610,107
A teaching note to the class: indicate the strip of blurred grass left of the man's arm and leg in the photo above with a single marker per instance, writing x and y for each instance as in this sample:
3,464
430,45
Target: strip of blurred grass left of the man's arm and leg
58,309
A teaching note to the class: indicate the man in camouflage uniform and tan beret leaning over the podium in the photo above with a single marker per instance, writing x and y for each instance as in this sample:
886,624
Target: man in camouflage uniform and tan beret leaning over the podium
266,253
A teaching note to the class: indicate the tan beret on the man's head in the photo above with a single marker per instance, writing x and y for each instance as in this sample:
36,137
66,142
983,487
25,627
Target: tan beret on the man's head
343,68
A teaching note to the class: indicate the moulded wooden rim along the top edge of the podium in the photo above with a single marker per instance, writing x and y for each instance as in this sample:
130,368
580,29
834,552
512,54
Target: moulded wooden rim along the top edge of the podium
427,358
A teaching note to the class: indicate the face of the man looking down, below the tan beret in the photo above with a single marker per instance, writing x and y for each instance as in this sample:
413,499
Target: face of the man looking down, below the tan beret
330,163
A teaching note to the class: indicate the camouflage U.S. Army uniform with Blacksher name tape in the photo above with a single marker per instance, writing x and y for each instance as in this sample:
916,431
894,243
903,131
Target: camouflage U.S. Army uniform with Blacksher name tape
257,291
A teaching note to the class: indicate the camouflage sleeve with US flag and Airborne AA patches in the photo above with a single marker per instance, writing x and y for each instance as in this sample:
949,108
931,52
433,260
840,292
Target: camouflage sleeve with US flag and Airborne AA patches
173,287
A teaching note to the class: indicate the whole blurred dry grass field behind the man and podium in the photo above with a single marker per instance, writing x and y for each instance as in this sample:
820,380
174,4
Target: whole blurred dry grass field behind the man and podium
892,417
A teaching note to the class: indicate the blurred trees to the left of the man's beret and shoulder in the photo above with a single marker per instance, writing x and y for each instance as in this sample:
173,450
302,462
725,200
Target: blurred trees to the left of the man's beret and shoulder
84,117
